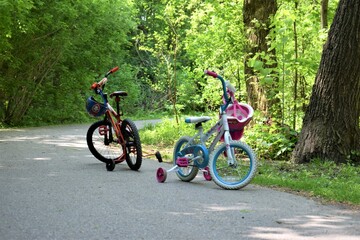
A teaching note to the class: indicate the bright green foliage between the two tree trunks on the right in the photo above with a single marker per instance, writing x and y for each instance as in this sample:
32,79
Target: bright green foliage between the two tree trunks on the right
302,60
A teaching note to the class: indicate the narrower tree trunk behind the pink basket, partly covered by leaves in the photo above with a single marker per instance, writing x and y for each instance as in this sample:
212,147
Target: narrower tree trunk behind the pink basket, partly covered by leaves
257,15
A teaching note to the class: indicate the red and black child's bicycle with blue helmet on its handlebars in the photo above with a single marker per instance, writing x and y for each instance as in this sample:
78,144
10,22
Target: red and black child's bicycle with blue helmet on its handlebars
112,140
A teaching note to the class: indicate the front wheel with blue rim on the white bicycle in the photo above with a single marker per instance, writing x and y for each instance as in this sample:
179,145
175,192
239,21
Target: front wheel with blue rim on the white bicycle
236,174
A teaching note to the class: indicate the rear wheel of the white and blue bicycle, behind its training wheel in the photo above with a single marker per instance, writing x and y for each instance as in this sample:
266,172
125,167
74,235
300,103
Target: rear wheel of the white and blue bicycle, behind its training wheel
188,173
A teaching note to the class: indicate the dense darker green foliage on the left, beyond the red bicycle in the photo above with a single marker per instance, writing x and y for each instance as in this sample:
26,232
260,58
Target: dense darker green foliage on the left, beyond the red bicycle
52,48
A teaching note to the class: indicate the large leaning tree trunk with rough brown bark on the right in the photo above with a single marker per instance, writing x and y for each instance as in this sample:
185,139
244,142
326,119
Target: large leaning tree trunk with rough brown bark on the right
331,123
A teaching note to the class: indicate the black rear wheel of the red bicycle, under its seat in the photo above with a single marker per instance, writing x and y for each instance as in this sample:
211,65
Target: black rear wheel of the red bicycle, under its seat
133,144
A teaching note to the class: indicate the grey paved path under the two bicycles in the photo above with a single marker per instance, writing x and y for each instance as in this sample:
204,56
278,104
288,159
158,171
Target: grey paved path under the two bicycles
51,187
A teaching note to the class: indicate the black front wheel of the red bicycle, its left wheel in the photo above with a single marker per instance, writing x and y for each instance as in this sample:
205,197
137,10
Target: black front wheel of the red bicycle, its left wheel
102,142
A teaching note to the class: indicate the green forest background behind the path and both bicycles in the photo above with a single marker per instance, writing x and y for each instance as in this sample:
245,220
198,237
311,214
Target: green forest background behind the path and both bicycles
52,51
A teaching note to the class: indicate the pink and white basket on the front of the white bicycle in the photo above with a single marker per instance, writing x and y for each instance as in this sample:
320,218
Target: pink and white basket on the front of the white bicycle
238,115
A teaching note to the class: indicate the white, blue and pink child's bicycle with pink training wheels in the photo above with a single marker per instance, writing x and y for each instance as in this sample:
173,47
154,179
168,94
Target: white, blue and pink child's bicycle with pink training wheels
232,164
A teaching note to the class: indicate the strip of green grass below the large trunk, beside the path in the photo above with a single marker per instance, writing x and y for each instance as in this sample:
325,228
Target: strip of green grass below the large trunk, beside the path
320,179
